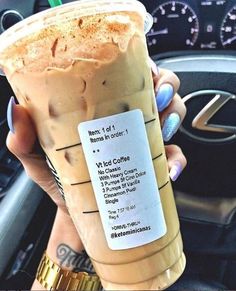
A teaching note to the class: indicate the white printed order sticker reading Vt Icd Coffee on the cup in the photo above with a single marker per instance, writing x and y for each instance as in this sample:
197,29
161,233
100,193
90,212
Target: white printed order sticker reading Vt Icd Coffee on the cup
119,161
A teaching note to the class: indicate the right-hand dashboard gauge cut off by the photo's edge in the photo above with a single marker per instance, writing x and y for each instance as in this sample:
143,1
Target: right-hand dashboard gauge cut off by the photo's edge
228,30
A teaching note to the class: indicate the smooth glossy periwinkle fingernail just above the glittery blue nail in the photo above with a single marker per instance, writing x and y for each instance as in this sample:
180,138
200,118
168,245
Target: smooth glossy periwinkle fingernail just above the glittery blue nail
164,96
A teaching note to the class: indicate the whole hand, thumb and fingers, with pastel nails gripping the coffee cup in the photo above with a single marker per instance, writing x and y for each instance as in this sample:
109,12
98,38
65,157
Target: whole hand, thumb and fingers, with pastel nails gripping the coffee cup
22,141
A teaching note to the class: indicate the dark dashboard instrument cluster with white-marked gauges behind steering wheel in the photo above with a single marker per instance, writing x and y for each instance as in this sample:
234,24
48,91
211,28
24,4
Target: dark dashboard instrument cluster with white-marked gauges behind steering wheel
191,25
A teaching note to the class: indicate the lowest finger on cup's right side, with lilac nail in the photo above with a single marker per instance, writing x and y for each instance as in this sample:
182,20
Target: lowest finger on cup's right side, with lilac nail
176,161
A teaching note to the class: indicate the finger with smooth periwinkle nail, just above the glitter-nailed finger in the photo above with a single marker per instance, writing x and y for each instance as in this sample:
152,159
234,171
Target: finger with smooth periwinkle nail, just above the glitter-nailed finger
166,84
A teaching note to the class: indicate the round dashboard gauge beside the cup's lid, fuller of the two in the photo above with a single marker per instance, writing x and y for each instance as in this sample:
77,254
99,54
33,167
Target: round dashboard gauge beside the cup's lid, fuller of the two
175,26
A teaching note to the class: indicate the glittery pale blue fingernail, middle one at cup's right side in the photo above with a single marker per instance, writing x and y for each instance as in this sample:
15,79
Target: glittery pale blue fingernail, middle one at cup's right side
170,126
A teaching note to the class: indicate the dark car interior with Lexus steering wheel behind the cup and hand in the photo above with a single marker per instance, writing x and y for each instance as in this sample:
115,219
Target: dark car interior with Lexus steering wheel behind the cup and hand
196,39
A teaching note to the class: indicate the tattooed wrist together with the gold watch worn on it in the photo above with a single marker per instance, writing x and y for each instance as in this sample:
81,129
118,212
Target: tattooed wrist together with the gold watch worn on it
65,253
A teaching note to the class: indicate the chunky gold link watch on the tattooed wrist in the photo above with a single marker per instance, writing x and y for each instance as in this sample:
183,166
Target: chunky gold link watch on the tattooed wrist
53,277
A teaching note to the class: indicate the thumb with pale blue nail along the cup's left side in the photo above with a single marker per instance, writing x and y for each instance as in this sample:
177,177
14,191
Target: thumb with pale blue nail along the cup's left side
22,142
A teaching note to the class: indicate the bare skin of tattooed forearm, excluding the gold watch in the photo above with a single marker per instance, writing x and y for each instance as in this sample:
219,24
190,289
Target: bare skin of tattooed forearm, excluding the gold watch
65,247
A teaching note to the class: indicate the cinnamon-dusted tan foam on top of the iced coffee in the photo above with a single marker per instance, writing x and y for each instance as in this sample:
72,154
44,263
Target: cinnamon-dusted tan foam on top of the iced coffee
96,37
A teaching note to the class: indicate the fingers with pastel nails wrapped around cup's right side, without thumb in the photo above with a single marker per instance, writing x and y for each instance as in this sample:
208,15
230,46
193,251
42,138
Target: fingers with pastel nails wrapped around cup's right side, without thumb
172,112
